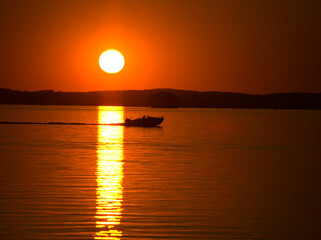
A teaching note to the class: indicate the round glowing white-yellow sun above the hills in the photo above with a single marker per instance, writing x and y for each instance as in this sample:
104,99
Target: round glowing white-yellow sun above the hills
111,61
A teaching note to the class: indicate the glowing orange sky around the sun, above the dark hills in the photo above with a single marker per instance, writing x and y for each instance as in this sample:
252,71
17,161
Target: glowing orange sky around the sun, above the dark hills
228,45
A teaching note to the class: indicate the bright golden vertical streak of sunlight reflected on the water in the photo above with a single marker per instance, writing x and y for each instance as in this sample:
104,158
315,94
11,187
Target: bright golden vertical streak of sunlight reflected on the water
109,173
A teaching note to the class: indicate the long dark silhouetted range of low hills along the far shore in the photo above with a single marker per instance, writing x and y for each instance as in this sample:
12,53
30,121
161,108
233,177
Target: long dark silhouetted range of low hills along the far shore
144,97
